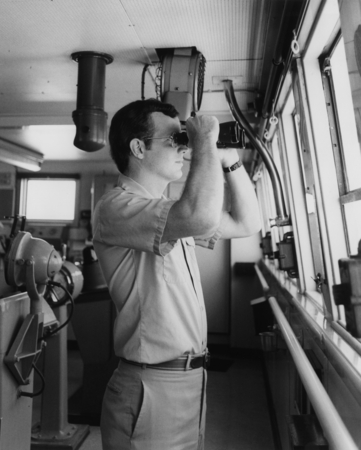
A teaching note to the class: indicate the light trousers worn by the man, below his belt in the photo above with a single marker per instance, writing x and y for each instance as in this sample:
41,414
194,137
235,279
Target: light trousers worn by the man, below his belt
152,409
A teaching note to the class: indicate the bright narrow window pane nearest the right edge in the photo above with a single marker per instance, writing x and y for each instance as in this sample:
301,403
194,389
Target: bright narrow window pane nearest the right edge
346,117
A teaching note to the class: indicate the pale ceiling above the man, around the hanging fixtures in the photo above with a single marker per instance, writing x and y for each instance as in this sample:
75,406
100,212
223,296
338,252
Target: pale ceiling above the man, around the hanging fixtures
38,78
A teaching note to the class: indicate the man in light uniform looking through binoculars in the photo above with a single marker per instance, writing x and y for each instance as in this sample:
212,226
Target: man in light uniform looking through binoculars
155,399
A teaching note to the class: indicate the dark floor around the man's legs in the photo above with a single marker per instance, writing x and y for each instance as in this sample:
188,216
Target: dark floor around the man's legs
237,408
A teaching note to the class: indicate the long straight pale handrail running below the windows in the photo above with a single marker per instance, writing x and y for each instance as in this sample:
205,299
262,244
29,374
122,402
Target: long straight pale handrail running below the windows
333,427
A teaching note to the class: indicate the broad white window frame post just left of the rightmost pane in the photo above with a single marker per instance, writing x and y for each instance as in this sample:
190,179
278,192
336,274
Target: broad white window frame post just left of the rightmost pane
331,223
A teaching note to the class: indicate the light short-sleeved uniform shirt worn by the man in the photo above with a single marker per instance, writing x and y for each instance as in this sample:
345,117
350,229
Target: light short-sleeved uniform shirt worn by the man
155,286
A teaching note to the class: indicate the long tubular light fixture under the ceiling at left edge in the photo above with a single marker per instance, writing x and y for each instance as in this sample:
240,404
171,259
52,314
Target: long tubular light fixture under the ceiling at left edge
20,156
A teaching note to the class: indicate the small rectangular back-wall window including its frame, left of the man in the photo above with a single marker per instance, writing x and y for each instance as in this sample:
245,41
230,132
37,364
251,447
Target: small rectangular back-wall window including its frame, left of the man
48,199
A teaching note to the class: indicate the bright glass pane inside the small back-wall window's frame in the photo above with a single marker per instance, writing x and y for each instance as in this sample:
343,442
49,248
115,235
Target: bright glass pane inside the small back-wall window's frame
50,200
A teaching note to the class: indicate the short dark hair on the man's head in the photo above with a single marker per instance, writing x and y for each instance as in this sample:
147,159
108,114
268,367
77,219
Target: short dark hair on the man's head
134,121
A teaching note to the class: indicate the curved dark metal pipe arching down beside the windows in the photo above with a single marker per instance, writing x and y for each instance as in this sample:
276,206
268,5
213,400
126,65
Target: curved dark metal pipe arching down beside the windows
282,219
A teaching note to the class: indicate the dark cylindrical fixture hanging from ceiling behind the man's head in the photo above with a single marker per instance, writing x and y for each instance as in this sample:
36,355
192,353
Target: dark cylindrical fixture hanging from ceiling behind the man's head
89,117
